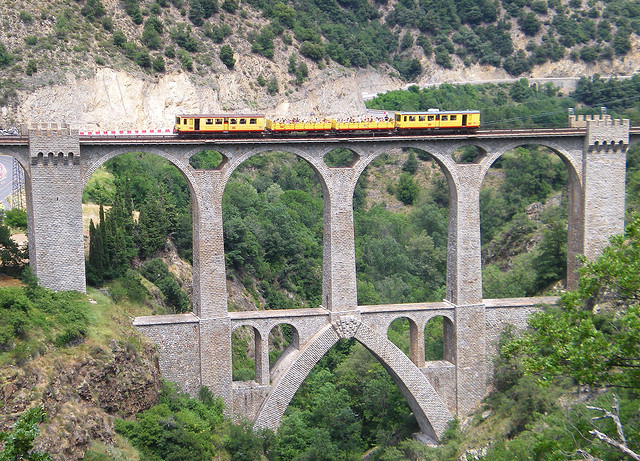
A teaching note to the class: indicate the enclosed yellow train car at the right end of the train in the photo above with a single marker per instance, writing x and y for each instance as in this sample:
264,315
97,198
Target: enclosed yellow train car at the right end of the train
434,119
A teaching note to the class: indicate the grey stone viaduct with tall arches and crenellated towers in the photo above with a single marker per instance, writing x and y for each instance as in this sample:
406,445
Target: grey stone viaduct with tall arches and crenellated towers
195,348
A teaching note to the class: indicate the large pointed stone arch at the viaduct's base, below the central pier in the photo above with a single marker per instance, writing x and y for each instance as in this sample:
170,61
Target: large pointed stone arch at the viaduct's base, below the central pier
428,407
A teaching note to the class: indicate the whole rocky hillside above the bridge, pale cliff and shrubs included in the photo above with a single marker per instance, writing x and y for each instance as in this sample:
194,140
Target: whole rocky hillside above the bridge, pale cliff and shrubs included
135,64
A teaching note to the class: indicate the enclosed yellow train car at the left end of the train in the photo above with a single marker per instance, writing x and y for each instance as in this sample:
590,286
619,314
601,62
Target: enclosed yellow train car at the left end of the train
220,124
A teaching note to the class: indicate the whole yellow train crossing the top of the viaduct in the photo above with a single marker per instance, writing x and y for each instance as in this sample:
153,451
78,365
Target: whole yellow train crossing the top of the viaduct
246,125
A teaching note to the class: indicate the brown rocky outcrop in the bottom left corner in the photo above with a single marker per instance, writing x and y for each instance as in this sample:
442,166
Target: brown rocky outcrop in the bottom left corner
81,396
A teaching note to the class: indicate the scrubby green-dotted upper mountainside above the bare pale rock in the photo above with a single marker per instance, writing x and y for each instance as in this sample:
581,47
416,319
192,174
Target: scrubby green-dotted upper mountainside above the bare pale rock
202,36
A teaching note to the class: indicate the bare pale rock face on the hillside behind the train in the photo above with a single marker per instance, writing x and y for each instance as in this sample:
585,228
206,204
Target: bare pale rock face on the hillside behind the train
113,99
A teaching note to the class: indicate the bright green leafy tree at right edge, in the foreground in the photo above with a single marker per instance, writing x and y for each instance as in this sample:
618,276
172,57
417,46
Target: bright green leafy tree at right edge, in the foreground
594,337
